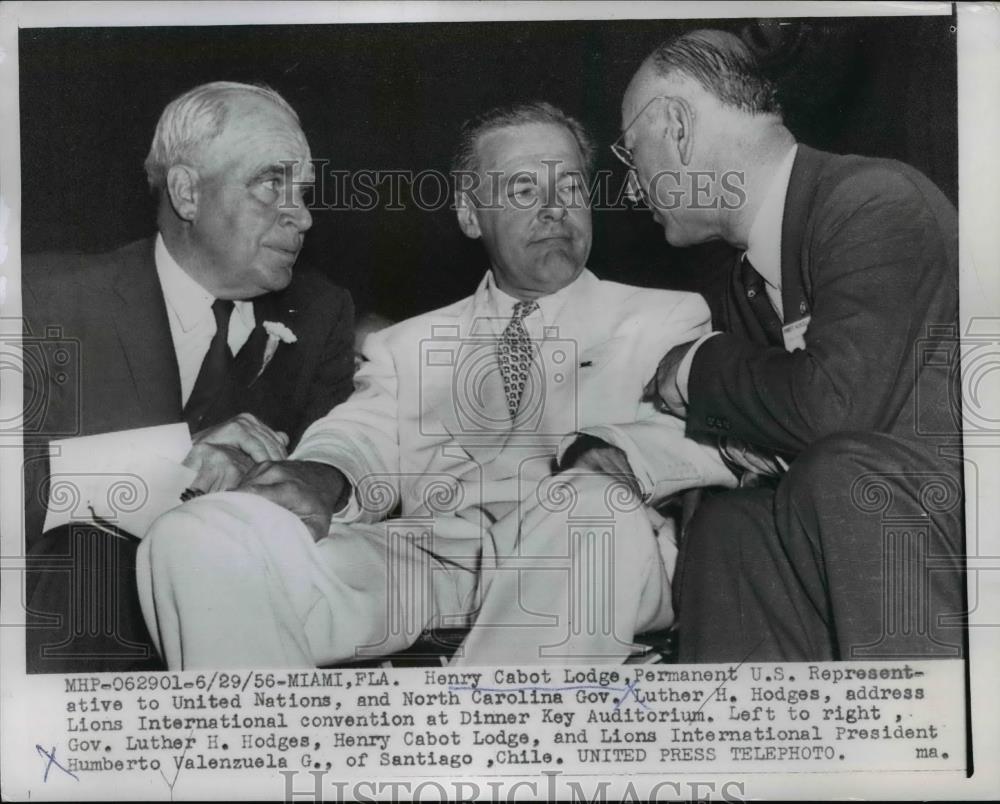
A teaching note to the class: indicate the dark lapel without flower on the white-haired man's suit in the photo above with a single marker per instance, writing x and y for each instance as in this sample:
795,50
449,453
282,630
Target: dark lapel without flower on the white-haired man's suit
143,332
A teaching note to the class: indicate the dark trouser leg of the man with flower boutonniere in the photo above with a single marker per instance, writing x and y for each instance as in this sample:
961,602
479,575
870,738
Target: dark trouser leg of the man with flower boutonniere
83,605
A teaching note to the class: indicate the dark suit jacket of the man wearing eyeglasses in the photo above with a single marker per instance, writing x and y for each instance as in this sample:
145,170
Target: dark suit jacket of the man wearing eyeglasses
869,249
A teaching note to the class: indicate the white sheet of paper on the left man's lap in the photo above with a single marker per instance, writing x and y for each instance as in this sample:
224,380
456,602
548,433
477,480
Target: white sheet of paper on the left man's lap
126,478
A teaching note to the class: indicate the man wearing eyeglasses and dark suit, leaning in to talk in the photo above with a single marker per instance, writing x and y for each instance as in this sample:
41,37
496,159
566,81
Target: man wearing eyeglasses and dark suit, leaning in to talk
813,386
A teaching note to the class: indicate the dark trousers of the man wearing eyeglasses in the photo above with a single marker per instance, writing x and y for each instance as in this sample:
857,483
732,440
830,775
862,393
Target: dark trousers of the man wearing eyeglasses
856,553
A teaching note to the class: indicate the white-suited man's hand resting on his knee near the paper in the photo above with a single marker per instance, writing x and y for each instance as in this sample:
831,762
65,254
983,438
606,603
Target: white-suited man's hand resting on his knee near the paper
312,491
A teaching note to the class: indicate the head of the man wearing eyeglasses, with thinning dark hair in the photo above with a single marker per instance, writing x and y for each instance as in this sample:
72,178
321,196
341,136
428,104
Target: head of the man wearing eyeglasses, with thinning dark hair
699,118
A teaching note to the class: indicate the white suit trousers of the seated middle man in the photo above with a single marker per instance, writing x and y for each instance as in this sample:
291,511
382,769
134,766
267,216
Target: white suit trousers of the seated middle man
232,580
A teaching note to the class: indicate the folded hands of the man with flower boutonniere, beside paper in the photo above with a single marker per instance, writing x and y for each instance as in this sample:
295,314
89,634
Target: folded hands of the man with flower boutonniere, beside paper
223,454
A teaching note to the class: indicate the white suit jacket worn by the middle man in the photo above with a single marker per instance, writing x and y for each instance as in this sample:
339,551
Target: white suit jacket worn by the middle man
427,428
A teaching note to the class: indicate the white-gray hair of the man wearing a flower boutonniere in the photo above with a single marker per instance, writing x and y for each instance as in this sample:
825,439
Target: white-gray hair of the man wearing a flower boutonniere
194,119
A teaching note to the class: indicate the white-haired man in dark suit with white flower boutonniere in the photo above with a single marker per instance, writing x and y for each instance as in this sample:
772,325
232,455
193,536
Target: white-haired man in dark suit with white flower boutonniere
175,329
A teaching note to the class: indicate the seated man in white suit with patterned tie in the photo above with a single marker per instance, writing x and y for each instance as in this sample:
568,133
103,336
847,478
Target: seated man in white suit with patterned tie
454,486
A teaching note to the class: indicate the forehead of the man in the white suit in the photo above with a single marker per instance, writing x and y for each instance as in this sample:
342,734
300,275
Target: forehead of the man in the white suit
539,149
